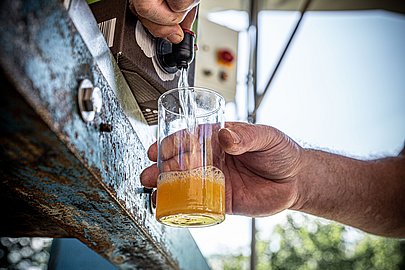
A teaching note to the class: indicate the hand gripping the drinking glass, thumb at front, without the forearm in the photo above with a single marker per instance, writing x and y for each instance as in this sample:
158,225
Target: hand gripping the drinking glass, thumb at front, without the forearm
261,169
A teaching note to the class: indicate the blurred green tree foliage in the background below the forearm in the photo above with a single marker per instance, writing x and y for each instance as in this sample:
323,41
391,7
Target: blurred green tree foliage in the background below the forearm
312,244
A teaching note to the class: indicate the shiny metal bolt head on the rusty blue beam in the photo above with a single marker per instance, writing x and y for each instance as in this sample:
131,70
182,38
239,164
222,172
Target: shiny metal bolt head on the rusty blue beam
90,100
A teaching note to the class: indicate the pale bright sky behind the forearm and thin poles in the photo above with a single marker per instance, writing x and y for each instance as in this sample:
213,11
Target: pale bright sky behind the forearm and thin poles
340,88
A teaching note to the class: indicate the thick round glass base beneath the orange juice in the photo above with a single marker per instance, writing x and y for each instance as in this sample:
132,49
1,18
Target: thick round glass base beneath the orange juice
193,220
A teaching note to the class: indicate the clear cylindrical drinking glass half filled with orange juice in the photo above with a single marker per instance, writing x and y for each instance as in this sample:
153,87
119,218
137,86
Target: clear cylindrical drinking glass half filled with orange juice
191,184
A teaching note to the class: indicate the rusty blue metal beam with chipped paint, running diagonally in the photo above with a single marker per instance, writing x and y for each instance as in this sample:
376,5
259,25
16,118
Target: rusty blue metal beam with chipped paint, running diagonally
70,172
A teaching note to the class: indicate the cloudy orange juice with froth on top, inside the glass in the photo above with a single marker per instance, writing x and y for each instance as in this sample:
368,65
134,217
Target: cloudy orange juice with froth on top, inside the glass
193,198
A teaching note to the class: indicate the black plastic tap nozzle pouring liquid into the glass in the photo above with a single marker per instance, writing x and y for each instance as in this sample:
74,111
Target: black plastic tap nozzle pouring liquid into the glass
173,57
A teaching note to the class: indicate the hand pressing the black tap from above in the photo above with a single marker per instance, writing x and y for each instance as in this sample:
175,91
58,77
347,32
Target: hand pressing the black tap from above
166,18
